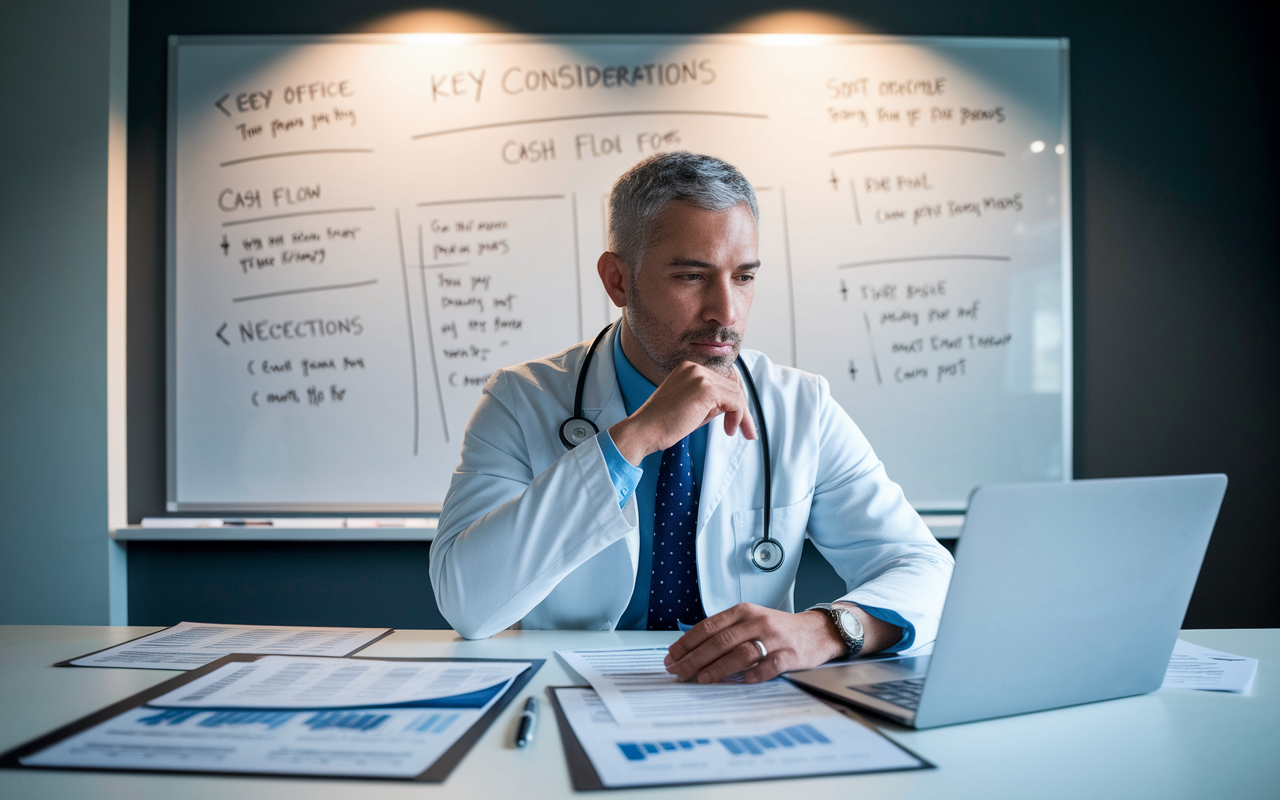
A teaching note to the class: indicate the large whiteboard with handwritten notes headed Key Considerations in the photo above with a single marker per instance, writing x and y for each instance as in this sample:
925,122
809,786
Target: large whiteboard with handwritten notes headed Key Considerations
364,228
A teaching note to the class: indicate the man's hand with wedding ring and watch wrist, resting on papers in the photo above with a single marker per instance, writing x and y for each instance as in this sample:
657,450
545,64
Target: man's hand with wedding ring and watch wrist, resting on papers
725,644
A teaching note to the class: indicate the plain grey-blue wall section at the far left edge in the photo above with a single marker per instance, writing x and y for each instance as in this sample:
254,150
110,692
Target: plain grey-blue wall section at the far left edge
54,557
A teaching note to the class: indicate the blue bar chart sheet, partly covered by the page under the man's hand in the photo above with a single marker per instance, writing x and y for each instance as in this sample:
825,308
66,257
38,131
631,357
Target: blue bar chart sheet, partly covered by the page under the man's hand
739,747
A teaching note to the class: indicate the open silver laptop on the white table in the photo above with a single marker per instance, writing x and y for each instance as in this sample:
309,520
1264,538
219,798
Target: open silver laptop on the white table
1063,593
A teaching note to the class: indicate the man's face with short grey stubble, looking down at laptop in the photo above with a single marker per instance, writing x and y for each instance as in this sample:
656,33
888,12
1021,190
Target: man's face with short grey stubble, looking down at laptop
694,289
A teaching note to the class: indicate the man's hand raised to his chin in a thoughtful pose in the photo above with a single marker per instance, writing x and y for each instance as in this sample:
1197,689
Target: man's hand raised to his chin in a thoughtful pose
689,399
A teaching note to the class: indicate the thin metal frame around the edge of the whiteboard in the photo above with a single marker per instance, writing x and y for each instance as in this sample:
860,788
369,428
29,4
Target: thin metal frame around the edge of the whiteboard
176,42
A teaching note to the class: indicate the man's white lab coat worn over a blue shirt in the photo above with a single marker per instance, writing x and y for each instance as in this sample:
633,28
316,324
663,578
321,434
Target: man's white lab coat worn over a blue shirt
533,533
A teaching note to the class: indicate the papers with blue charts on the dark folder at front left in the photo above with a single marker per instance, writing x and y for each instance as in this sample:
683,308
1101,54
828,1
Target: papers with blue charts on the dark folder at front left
390,735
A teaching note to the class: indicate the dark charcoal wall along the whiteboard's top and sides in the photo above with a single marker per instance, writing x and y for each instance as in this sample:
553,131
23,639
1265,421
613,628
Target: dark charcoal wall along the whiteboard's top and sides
1174,231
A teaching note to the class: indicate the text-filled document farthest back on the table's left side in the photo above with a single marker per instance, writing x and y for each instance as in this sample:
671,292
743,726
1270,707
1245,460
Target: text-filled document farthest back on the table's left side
194,644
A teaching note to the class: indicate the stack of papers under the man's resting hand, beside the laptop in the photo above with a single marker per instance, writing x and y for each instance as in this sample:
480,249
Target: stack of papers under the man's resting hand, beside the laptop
641,728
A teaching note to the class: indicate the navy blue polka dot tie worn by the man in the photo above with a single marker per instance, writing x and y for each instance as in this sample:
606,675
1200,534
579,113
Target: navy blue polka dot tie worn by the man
674,592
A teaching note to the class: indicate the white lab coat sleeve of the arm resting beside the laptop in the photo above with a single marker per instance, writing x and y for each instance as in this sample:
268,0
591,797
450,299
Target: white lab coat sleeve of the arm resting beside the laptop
863,525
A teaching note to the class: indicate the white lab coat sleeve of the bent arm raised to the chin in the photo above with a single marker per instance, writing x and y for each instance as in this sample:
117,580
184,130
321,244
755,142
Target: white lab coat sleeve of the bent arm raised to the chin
510,531
